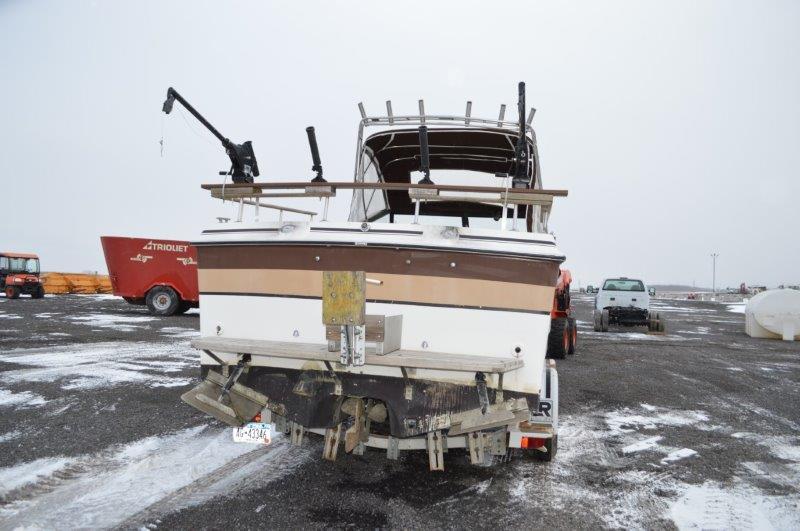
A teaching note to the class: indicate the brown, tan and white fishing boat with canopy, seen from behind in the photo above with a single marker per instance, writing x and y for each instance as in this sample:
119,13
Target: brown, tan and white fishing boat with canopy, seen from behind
420,322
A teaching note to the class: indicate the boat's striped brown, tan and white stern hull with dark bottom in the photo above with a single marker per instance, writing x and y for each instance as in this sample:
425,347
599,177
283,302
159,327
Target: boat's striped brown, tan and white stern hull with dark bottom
471,295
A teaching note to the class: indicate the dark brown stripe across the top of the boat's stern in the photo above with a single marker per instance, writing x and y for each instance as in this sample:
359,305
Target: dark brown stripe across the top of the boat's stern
396,261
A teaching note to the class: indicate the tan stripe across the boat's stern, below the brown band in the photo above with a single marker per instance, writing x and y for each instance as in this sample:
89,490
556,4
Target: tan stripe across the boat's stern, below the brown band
399,288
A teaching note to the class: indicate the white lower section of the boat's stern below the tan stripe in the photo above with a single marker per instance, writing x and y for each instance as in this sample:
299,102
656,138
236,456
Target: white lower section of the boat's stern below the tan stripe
454,330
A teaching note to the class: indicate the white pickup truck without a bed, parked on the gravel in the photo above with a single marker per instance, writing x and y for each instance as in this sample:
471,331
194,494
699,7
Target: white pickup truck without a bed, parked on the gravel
625,302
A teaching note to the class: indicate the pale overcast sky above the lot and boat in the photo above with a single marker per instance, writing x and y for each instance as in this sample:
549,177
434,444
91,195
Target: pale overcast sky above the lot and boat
674,125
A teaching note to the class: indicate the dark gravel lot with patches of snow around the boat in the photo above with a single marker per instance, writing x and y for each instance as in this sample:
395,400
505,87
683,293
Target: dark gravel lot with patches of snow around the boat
697,428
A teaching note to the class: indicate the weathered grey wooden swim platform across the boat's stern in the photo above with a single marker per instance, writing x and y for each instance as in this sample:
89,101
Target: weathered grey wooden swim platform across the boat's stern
399,358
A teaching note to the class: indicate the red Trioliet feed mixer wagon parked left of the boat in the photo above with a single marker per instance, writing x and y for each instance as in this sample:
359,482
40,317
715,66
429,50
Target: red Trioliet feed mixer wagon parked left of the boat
159,273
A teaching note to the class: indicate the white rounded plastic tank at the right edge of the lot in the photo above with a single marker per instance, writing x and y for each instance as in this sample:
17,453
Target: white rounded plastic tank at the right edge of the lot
774,314
